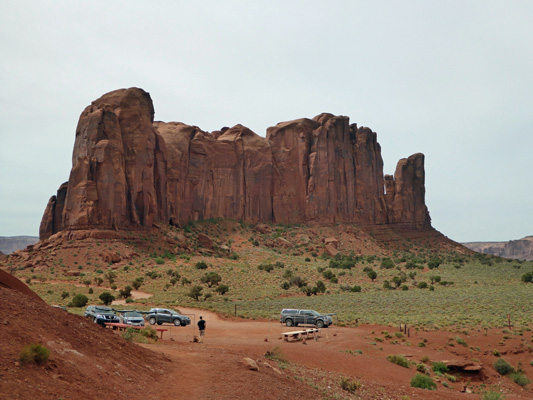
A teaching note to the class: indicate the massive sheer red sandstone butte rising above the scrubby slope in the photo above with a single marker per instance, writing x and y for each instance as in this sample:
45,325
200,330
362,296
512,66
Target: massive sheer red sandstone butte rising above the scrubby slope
129,172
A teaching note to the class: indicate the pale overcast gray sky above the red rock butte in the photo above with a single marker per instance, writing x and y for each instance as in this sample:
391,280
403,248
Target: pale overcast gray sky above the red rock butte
451,79
